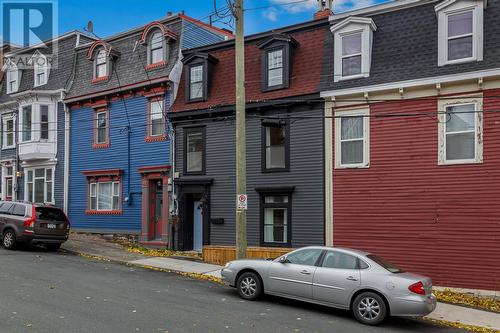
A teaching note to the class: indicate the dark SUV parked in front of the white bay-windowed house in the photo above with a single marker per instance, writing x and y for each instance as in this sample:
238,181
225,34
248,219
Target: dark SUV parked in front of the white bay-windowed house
32,223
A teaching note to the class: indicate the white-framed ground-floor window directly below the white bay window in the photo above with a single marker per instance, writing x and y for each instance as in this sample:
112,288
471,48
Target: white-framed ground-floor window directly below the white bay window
39,185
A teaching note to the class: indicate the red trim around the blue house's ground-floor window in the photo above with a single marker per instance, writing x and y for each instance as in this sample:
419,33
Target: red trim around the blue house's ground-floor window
97,176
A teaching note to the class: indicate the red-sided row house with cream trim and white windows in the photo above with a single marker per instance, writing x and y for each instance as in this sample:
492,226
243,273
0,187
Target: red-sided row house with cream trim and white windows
412,132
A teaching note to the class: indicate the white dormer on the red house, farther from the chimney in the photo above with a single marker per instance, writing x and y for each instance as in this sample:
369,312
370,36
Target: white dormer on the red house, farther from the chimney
460,31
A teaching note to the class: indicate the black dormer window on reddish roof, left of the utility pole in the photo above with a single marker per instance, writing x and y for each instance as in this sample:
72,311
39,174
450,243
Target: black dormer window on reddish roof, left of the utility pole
198,73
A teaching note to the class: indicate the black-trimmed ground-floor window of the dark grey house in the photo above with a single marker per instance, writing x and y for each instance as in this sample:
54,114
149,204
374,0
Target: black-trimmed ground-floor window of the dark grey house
276,210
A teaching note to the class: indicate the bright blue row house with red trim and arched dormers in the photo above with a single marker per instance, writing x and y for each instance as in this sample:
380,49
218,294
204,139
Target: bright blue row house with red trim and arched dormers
119,155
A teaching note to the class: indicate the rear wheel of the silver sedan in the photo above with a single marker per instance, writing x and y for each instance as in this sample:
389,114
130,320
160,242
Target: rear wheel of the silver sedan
369,308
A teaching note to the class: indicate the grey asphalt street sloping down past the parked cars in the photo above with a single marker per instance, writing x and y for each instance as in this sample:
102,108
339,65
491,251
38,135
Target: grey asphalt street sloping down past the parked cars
57,292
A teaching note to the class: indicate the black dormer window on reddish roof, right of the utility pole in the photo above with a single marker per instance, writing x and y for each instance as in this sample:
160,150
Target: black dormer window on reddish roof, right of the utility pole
277,53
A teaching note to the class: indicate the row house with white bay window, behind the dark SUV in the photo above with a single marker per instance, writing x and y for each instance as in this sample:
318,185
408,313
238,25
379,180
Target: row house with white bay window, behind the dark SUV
35,81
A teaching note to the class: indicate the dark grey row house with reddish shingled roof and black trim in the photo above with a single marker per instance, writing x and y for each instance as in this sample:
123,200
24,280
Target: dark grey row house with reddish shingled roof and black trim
284,144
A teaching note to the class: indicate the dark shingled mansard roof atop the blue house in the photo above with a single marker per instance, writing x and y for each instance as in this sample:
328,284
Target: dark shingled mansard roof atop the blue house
130,63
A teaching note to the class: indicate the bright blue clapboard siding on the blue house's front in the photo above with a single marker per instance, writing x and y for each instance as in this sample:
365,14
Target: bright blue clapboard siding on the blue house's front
85,158
